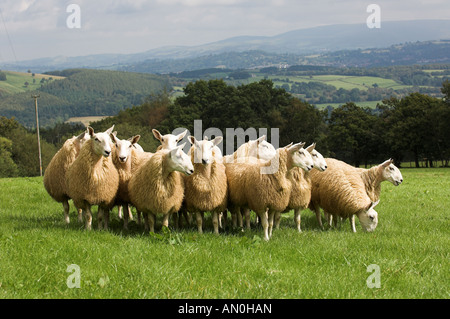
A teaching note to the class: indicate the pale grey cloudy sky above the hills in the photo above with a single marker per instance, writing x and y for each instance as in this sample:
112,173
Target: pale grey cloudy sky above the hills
32,29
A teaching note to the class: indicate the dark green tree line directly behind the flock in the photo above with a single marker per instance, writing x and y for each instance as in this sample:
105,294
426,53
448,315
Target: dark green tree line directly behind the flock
412,128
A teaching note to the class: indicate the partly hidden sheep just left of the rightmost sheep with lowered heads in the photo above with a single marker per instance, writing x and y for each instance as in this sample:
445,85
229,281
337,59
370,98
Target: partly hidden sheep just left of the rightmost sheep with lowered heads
301,187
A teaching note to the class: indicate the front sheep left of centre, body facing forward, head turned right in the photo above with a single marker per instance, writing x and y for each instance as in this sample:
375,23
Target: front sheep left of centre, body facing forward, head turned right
157,186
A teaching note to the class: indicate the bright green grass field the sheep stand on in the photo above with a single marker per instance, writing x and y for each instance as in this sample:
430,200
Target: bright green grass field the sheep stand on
410,246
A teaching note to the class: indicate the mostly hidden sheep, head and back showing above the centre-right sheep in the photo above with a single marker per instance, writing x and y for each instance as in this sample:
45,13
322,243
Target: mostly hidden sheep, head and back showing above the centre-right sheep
258,149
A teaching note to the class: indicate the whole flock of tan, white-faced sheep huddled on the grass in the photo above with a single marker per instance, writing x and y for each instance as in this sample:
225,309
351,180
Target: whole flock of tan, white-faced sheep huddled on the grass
101,169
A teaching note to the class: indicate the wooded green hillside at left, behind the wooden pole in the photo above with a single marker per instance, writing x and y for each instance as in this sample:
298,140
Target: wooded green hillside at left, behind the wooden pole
82,92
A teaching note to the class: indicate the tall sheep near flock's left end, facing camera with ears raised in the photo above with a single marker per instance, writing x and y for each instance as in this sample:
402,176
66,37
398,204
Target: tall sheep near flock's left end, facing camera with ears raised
93,179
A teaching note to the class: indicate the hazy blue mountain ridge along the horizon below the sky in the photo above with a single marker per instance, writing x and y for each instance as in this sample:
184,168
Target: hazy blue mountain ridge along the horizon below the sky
318,40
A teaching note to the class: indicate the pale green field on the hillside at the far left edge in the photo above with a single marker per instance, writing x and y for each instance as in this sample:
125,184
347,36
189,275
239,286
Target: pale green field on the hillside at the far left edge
15,81
